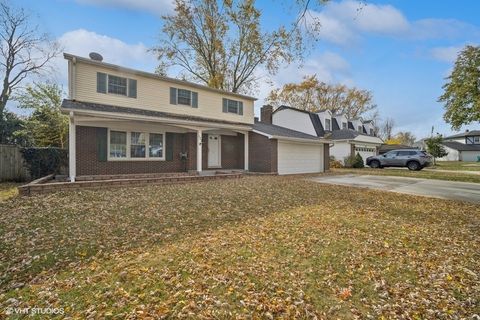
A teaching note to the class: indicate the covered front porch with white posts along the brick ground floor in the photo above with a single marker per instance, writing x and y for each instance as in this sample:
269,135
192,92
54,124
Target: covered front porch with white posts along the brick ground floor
106,145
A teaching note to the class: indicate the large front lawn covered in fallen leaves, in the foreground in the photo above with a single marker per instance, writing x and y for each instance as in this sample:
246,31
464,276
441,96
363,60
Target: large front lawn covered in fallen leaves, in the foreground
257,247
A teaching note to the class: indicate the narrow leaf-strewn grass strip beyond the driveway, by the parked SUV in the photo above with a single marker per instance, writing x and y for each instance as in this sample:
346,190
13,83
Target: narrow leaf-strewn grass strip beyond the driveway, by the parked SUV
424,174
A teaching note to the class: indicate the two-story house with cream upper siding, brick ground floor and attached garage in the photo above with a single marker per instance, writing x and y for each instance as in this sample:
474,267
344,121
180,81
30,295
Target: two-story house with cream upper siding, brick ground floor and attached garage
125,121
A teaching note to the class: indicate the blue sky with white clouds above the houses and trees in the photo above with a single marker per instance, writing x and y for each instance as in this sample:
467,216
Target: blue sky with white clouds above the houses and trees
401,50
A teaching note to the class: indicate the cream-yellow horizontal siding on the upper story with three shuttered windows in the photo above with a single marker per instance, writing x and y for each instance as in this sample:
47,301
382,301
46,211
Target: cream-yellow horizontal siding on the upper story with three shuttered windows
154,94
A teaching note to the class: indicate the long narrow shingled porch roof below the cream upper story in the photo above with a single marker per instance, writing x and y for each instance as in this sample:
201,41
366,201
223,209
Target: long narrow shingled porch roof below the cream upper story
73,105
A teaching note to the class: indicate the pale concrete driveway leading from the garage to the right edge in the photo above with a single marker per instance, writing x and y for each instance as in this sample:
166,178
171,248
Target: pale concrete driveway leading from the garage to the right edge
463,191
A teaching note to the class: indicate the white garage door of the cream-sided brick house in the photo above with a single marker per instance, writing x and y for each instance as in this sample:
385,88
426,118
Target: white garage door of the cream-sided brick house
299,158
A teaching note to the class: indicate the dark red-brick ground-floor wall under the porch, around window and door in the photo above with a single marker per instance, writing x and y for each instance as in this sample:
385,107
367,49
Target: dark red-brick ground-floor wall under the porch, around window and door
88,162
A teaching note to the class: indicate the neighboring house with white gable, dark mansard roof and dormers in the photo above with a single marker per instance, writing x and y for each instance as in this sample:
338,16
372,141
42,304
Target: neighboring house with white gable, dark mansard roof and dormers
349,136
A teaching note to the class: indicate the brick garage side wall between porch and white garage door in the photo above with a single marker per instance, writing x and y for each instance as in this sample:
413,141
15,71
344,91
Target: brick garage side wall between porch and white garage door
262,152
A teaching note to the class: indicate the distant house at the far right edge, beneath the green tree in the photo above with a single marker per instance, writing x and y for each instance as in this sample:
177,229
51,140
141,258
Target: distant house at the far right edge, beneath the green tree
462,147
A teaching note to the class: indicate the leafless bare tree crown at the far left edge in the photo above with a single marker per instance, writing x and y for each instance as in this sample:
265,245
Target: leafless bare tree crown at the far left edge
24,50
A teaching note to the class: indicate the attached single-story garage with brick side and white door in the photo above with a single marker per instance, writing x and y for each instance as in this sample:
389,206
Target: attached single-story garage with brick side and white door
284,151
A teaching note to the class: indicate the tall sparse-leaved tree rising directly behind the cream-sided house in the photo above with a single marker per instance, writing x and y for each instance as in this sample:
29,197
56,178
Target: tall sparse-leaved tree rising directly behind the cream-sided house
222,43
